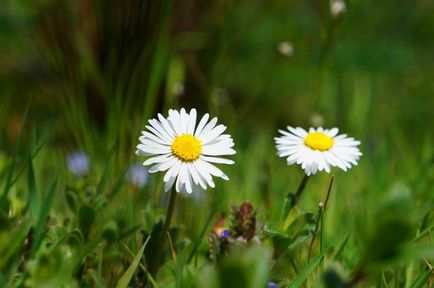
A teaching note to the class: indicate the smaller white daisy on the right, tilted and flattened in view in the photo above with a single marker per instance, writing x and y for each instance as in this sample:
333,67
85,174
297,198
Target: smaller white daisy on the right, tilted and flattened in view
318,149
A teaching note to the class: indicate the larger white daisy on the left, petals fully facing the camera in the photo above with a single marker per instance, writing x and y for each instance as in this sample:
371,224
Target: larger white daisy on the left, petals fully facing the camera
185,151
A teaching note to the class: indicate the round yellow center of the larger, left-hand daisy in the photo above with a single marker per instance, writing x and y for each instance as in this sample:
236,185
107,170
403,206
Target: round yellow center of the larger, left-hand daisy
186,147
